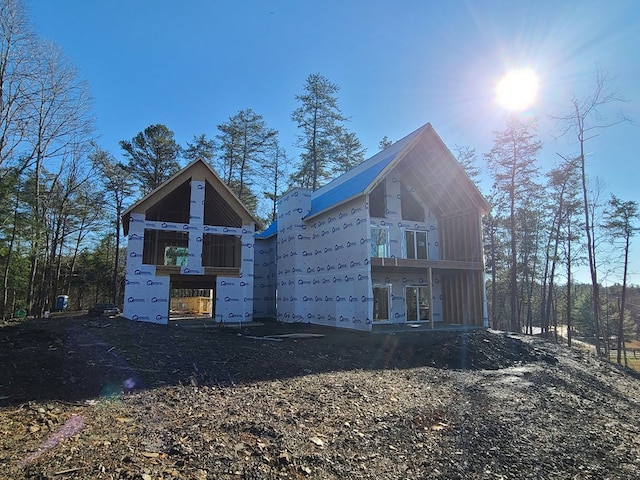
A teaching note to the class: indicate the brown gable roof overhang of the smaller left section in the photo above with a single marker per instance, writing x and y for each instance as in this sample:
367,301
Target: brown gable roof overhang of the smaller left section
225,200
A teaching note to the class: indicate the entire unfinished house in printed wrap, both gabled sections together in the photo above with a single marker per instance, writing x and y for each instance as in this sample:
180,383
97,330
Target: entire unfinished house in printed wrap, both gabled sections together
396,240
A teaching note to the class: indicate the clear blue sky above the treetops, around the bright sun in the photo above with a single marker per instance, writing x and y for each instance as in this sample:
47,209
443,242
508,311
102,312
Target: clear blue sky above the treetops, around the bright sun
191,64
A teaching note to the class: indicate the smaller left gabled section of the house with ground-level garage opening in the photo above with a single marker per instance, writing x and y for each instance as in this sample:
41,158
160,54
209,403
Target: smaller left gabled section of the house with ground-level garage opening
211,249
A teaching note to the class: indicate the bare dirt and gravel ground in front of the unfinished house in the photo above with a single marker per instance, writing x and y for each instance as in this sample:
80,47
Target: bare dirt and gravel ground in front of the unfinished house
108,398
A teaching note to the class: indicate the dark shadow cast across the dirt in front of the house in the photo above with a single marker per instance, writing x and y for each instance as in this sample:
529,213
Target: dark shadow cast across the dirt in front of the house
77,358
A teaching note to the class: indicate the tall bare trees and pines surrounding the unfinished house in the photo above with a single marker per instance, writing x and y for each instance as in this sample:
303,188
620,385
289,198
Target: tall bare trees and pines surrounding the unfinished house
62,195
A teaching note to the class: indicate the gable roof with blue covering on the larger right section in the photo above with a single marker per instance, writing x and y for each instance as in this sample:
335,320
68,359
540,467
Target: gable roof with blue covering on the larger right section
424,163
